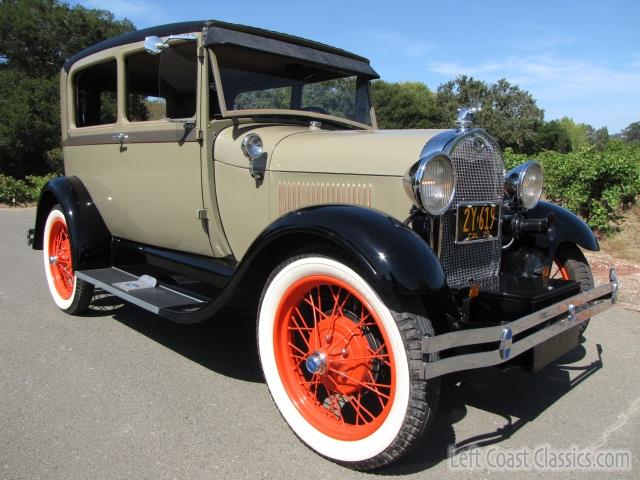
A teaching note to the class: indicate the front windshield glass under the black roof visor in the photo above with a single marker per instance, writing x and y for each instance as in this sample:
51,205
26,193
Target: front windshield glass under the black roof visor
261,81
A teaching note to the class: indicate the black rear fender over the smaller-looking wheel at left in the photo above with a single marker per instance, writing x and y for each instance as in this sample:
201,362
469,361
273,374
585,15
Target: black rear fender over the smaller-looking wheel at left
91,240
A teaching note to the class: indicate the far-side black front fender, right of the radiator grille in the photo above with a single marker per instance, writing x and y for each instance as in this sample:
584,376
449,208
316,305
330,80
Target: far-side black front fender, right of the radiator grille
566,227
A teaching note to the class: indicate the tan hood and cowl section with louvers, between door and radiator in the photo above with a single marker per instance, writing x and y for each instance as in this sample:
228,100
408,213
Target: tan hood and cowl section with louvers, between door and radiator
247,206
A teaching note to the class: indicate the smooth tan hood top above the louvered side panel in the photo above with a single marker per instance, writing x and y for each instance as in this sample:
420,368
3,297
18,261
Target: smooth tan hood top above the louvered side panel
360,152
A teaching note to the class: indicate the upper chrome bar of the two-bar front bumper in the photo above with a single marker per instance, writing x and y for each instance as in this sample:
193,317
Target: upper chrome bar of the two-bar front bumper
492,334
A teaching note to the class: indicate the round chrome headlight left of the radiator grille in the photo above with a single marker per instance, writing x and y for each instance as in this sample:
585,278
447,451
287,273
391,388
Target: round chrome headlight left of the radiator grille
431,183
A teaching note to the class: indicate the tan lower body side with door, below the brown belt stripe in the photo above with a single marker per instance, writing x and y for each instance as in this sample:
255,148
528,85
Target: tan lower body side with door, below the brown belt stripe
148,193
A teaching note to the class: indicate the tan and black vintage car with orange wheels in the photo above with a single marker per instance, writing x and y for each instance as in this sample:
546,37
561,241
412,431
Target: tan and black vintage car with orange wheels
215,166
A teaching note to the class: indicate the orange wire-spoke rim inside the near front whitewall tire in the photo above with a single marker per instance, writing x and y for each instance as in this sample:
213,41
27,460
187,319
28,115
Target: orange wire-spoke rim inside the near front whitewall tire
334,357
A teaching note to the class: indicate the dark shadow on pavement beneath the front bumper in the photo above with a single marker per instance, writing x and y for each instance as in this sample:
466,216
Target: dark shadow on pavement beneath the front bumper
517,396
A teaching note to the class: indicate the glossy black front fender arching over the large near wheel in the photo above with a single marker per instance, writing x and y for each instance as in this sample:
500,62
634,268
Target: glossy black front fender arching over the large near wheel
391,252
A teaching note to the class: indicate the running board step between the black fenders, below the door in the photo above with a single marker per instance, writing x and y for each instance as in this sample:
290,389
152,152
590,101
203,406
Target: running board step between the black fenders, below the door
154,299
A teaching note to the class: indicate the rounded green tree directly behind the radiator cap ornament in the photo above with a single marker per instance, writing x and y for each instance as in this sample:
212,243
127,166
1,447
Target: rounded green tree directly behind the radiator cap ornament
508,113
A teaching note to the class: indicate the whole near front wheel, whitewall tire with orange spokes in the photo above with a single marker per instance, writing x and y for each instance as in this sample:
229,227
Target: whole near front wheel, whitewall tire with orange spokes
341,366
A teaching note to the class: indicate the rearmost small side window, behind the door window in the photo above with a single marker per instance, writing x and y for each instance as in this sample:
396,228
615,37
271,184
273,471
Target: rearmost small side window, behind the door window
95,94
